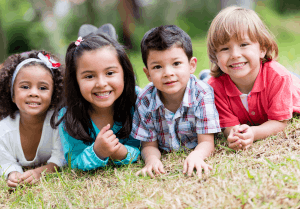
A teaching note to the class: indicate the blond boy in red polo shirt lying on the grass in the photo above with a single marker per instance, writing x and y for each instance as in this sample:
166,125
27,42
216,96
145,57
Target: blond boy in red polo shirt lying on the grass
255,95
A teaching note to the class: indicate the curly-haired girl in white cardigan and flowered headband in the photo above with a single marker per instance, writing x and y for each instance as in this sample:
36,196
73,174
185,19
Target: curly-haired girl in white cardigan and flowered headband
30,86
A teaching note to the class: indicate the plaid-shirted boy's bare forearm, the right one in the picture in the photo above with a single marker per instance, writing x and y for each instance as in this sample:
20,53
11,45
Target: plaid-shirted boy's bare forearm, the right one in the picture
205,145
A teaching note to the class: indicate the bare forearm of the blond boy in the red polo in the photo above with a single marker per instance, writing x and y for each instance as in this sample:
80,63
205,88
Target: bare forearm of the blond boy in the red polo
271,127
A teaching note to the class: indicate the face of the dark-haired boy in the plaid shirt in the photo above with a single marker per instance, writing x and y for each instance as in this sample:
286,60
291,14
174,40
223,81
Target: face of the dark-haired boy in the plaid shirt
170,70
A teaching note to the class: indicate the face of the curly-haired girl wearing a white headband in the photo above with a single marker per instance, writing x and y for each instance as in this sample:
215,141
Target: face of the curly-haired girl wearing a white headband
33,88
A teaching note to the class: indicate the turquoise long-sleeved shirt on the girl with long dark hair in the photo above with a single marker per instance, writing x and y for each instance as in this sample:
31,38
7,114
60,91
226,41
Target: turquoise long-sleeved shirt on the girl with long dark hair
83,156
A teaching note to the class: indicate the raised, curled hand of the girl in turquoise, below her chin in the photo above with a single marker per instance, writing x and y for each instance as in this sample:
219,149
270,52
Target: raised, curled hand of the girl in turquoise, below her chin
106,143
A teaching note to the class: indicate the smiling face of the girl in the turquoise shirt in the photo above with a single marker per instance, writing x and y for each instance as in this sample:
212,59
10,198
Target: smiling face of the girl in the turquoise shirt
100,77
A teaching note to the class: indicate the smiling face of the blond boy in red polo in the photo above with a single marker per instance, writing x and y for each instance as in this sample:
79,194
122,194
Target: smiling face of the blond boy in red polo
240,59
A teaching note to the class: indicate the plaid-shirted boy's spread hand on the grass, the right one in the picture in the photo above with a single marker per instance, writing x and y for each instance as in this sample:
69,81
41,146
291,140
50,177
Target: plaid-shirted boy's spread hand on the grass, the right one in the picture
194,160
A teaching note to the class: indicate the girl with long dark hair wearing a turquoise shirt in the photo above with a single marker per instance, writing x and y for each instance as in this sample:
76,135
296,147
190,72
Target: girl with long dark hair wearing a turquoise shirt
100,95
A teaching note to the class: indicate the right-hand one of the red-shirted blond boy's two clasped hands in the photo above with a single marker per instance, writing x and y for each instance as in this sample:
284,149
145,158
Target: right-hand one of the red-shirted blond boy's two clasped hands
245,133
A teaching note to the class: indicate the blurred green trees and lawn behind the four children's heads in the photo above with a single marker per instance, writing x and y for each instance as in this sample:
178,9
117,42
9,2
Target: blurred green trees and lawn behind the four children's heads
52,24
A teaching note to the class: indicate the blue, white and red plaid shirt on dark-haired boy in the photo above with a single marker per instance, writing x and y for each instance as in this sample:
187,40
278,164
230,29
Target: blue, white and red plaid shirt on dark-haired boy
197,114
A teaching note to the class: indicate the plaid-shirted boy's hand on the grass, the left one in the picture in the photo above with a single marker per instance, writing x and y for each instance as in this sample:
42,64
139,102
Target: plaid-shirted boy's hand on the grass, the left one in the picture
153,163
